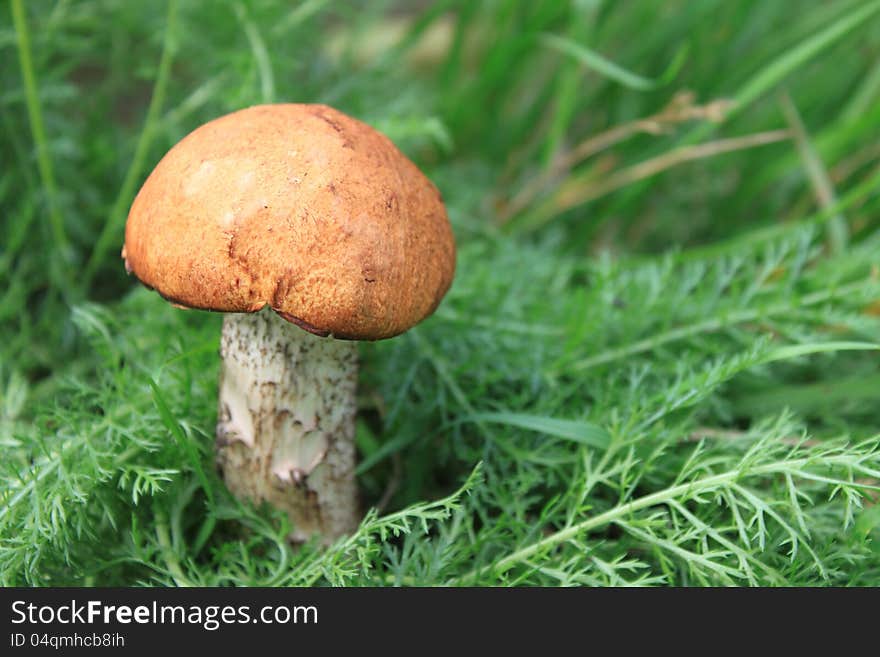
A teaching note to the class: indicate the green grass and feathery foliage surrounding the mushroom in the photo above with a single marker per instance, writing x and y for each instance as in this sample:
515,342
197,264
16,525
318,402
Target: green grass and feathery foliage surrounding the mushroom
658,363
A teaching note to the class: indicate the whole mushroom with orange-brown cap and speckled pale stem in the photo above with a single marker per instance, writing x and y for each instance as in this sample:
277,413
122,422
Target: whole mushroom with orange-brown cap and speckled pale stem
311,230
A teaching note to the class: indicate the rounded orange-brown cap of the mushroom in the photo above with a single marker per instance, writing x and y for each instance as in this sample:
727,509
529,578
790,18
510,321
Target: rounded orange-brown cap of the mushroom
298,207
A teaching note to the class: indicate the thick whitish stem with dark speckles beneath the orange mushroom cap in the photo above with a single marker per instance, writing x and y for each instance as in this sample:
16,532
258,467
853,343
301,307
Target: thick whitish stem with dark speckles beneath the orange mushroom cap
285,431
